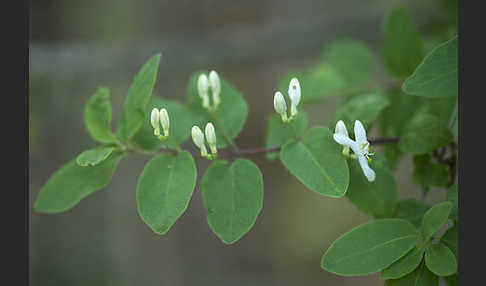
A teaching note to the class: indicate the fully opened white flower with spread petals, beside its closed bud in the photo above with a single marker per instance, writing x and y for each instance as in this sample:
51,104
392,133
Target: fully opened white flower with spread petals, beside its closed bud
360,146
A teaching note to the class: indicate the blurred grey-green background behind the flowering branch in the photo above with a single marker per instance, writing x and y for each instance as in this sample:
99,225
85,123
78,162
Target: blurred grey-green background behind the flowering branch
77,46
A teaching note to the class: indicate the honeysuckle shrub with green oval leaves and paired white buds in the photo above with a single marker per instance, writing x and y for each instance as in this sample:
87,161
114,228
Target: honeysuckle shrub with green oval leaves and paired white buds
415,116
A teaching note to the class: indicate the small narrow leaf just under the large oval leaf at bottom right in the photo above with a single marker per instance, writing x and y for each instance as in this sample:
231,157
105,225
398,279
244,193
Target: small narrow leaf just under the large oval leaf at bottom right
404,265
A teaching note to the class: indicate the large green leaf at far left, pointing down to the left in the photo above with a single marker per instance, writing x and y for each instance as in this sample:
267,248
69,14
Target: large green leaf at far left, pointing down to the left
71,183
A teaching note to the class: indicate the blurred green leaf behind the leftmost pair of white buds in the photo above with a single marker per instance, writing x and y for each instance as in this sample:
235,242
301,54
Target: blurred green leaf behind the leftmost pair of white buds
181,121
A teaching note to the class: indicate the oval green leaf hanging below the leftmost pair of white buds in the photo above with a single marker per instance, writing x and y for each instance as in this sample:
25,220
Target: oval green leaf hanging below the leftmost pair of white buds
164,189
